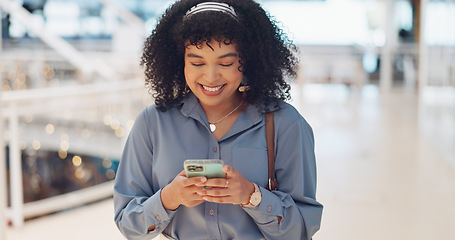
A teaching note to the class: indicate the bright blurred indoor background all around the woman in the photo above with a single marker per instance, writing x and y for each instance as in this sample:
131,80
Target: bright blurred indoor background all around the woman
376,82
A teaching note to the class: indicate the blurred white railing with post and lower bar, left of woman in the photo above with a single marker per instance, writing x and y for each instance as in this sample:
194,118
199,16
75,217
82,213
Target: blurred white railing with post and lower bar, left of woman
119,100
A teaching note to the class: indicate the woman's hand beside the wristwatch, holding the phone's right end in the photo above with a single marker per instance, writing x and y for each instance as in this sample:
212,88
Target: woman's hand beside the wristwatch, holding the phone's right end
234,189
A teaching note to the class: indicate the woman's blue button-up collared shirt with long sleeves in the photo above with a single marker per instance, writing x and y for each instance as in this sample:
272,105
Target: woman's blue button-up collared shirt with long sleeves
159,143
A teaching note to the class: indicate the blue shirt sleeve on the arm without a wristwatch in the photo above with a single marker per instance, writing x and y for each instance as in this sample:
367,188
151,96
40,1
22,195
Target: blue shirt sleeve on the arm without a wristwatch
137,205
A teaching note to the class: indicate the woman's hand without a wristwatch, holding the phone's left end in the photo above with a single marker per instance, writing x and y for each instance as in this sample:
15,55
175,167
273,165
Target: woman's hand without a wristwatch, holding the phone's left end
182,191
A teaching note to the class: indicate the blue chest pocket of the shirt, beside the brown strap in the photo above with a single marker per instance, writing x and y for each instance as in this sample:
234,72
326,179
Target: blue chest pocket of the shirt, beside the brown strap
252,163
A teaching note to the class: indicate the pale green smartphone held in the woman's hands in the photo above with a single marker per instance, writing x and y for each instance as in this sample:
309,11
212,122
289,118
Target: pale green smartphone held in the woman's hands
210,168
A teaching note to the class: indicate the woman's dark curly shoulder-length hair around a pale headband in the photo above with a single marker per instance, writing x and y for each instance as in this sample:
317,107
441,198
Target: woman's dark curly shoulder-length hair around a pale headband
268,56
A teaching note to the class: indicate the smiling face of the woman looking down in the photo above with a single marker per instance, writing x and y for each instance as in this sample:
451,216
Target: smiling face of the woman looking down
212,73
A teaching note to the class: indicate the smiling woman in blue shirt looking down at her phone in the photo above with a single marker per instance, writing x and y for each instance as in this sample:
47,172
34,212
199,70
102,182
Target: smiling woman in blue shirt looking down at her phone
214,69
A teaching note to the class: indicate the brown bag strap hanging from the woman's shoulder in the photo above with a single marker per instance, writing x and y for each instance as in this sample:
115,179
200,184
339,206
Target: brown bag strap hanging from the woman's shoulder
270,138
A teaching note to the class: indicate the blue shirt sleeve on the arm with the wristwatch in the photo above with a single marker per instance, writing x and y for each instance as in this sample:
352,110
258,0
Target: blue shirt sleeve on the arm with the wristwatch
292,211
